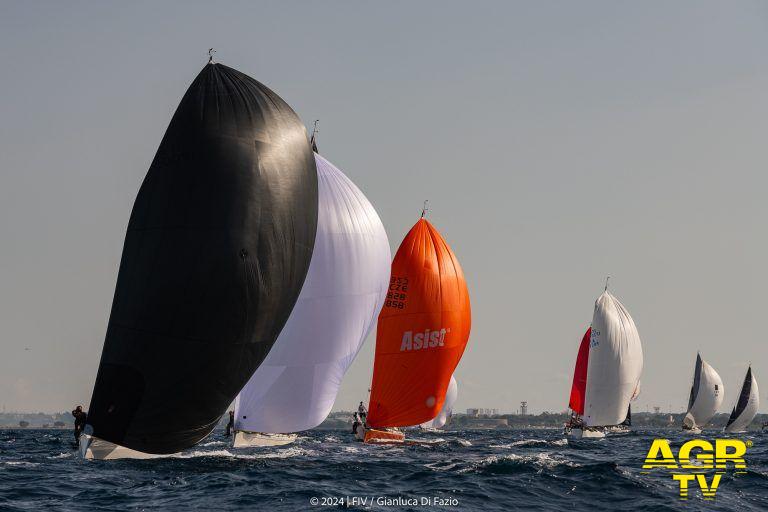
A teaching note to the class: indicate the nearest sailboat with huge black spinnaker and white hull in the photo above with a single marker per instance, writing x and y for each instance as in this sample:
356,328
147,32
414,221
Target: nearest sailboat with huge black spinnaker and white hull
218,245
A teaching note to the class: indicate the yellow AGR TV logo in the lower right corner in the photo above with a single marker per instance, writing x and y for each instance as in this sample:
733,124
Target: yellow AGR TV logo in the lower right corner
694,459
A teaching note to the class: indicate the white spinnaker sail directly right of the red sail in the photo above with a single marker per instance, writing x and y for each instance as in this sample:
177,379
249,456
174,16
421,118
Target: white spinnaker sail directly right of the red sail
615,363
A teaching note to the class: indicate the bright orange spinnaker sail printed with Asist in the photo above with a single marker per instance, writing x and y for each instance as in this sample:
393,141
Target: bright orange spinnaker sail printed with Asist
422,331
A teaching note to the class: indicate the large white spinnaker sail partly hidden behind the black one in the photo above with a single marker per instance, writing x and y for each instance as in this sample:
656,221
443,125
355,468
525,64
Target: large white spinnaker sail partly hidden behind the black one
347,282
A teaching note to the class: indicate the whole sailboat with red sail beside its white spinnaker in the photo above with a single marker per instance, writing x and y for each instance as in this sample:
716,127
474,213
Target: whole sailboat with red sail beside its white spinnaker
607,372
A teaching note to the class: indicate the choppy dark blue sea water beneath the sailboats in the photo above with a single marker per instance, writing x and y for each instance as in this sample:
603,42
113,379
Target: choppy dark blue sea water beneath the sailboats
328,470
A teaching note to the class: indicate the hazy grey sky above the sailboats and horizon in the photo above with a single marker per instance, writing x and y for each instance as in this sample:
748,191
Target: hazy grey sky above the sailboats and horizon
557,142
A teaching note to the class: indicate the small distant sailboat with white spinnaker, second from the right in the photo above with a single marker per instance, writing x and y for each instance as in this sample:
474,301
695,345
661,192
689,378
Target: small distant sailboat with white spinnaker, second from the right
707,393
